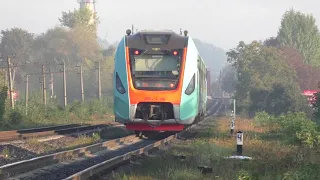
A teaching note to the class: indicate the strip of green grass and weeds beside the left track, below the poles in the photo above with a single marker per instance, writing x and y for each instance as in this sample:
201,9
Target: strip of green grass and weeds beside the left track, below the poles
54,114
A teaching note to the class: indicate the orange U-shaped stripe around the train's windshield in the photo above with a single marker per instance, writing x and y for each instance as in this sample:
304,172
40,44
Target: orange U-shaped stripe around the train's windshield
173,96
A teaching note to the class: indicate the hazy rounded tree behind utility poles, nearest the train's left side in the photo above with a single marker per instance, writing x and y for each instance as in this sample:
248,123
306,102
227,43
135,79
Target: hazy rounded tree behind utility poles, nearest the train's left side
74,47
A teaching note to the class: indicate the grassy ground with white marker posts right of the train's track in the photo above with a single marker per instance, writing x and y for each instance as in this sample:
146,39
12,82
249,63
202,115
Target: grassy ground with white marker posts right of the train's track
283,148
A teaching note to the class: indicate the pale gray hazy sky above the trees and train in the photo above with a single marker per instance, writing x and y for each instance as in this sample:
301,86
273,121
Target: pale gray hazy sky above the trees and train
221,22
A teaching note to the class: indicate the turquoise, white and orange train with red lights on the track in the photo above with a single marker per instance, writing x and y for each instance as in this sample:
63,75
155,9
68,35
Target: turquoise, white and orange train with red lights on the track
160,82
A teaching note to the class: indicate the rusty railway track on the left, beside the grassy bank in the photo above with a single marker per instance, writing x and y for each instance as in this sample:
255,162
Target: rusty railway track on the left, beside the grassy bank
6,136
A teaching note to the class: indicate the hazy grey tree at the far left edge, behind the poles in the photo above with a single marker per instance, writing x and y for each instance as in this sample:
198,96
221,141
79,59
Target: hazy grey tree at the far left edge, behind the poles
19,42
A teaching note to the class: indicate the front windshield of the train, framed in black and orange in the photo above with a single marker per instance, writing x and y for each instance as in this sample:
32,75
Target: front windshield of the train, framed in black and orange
155,71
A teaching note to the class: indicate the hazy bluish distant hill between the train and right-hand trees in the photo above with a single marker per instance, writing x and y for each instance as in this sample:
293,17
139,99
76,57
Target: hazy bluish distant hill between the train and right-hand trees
215,57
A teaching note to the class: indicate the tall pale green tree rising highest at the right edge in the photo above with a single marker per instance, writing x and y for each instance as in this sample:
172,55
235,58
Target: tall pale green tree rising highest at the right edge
300,31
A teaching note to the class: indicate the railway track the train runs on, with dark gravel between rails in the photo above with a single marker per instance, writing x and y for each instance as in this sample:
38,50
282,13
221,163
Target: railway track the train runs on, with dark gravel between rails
86,162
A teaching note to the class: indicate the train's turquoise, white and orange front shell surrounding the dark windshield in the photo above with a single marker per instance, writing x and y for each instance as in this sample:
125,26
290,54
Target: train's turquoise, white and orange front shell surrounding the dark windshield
185,101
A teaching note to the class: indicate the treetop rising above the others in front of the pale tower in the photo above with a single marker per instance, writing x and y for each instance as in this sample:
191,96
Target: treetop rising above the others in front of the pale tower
82,17
